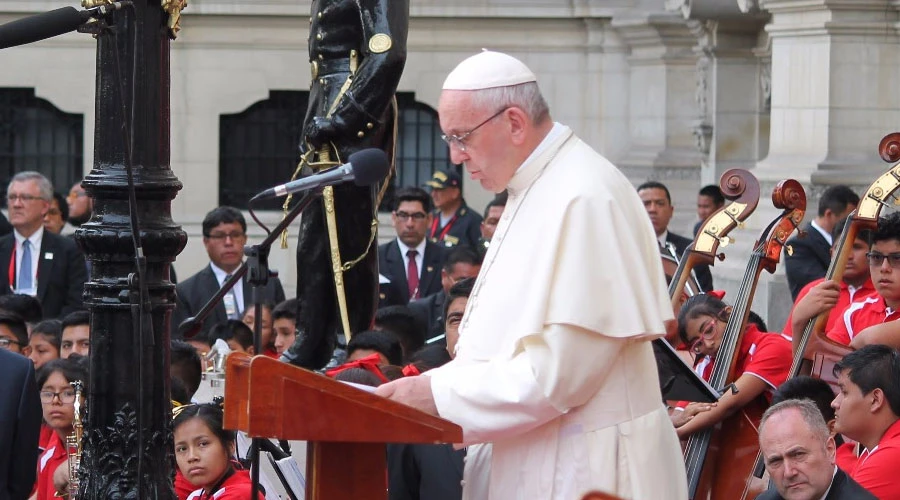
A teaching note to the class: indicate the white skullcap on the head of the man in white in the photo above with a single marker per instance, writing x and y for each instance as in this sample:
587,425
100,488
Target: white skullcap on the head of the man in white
487,70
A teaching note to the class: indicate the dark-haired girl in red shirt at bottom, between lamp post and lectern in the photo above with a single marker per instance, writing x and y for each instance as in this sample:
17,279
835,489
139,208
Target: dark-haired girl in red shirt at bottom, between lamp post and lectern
203,451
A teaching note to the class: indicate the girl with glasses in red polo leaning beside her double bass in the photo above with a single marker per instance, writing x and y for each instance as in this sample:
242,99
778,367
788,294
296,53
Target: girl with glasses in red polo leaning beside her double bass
763,359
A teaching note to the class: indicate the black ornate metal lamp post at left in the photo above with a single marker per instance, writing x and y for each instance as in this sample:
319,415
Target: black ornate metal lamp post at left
127,444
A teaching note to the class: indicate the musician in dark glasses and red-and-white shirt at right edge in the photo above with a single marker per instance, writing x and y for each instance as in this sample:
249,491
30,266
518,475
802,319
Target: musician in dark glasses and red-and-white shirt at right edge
867,321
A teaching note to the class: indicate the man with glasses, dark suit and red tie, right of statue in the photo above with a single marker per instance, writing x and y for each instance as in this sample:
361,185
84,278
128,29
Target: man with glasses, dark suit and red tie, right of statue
411,262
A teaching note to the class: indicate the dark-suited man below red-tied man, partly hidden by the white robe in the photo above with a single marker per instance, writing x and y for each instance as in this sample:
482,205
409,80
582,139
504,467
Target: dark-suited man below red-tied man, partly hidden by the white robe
462,262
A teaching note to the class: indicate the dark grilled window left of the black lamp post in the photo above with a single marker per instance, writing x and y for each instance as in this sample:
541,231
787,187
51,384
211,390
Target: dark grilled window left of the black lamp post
36,135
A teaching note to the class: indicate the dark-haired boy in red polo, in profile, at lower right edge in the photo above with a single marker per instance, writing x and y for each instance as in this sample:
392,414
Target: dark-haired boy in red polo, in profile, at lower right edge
867,410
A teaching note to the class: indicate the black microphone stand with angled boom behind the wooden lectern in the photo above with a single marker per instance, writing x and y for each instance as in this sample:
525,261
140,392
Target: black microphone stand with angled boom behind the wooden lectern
257,270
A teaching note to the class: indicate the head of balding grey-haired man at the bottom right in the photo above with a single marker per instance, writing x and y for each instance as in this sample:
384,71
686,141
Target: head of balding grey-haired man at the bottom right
800,462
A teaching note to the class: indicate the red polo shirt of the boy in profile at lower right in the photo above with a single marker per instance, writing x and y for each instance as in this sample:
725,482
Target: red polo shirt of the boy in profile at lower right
876,470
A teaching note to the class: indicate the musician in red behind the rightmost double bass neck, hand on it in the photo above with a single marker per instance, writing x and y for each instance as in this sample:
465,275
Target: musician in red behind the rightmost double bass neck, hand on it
823,295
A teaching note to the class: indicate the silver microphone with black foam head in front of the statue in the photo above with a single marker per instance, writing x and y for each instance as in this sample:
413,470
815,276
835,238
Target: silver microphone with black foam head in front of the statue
365,167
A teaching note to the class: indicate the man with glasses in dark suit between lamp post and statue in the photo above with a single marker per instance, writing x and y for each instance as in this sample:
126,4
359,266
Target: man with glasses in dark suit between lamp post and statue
224,236
